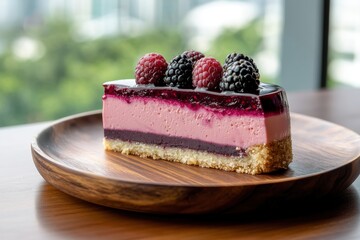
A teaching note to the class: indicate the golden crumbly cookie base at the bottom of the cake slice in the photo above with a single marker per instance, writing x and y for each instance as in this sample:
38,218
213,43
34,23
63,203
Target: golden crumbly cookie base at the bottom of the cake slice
263,158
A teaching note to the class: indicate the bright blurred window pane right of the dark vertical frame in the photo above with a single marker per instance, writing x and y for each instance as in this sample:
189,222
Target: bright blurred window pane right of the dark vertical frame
344,44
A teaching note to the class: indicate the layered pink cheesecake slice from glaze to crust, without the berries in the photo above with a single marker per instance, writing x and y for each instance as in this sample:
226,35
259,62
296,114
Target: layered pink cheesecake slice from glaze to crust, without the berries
231,131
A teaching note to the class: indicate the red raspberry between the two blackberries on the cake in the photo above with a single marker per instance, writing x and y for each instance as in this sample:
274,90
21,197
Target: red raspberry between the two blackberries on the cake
207,73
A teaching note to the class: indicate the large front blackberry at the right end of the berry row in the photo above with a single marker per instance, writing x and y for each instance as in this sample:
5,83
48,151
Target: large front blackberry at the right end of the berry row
240,76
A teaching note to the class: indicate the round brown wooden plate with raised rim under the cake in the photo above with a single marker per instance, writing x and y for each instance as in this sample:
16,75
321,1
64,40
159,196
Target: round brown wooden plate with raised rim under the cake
70,156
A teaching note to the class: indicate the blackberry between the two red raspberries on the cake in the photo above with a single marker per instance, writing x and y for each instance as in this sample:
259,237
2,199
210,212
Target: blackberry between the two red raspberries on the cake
179,72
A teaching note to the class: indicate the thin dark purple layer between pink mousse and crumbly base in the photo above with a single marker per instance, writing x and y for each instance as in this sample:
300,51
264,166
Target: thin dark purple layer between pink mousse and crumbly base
167,141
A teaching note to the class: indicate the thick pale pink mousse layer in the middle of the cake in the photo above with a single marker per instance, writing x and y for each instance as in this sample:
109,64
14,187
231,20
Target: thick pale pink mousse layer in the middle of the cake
163,117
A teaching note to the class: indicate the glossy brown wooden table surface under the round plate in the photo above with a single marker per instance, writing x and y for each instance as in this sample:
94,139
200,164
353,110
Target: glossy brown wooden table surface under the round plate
32,209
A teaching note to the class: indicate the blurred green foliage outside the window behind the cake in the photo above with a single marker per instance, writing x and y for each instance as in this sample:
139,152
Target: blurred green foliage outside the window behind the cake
68,78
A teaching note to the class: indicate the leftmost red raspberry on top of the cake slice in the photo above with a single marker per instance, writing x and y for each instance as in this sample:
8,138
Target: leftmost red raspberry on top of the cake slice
150,69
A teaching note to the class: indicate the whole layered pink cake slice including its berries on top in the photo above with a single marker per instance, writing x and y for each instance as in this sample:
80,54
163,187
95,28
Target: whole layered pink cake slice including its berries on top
235,123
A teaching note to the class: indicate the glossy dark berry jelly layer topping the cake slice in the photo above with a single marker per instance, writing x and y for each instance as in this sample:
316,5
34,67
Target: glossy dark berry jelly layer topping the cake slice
270,100
